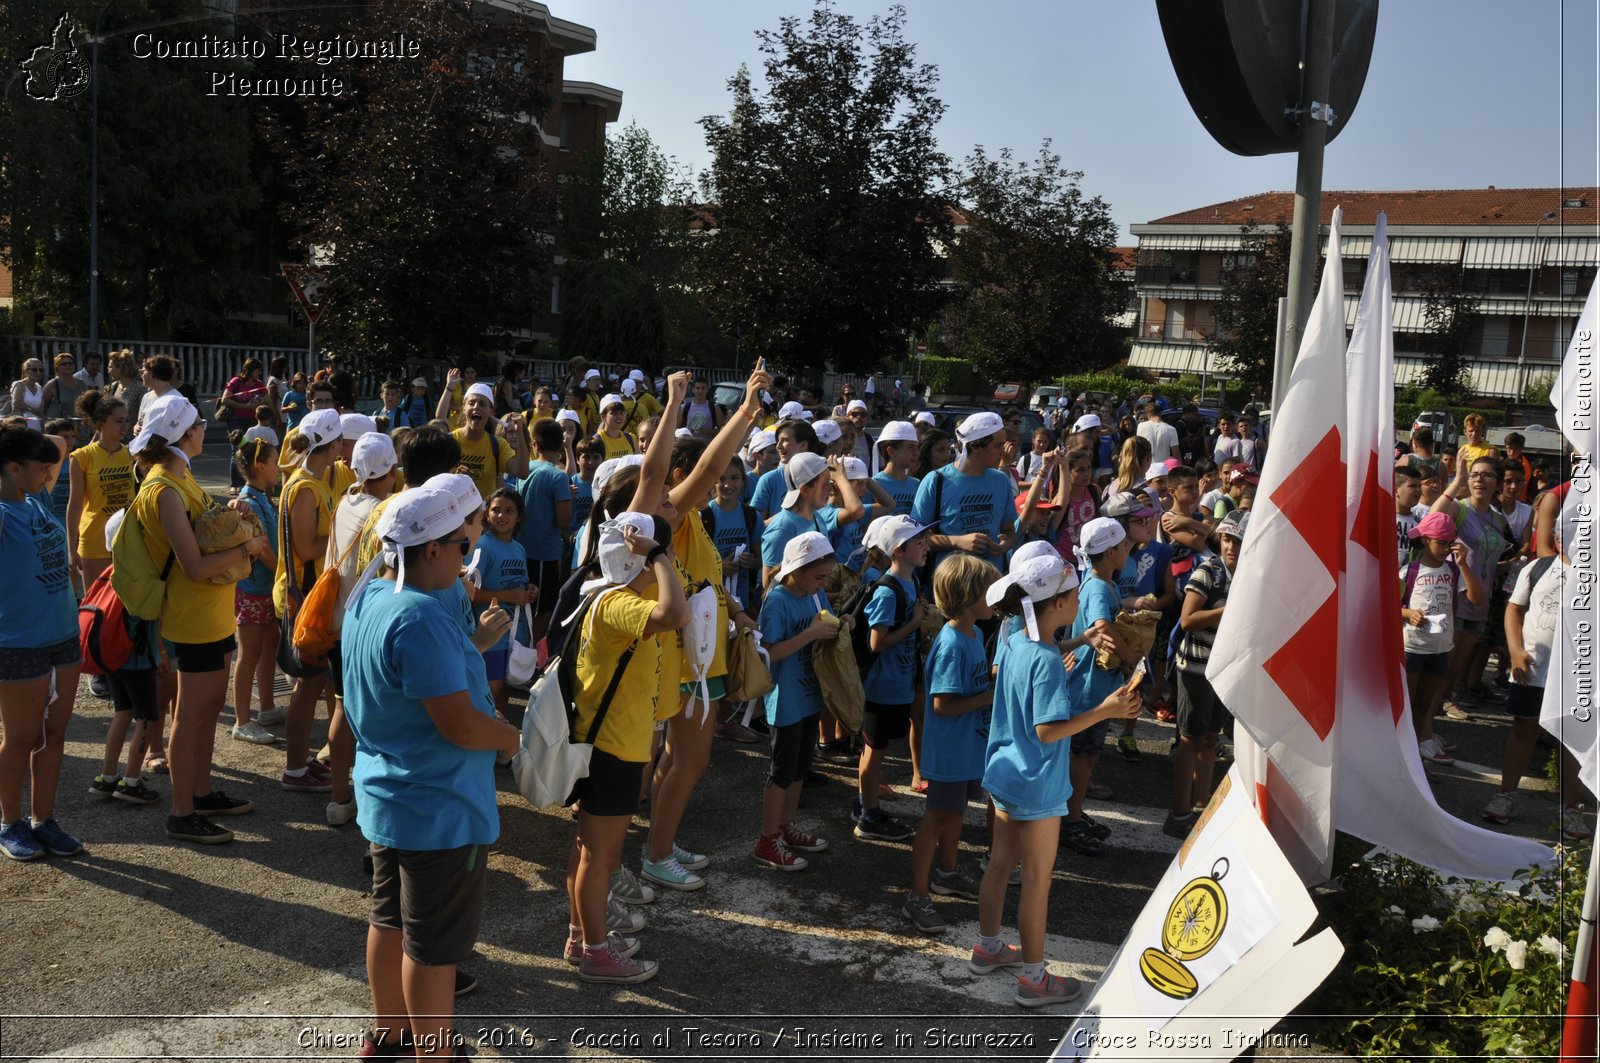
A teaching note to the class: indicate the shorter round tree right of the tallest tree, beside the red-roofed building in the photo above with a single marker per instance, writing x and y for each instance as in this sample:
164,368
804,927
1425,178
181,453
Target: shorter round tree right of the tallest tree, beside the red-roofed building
1033,268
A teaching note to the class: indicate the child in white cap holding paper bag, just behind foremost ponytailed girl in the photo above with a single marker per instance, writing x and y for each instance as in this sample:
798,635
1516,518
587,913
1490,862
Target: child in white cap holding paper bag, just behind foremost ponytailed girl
1095,627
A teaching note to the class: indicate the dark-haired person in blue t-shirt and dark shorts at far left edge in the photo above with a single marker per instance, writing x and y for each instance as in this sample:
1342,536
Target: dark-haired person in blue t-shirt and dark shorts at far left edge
39,648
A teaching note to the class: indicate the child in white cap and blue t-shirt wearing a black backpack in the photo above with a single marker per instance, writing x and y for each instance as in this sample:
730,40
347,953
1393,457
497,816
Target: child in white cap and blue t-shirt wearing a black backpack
895,616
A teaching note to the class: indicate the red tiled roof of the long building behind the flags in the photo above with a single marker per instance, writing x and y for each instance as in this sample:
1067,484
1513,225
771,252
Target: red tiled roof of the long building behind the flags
1420,207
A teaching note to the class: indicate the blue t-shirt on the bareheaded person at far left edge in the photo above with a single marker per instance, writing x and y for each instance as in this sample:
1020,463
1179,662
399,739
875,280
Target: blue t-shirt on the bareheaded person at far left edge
38,608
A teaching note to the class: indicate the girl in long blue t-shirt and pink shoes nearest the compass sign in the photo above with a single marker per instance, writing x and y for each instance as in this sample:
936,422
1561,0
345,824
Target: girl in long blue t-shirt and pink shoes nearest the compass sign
1026,769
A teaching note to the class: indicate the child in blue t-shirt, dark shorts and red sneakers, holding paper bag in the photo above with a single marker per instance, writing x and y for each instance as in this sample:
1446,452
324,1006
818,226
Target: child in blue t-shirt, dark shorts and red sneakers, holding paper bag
793,624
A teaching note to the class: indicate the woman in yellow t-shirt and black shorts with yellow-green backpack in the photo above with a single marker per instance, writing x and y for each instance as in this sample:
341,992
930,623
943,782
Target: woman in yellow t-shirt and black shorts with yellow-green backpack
198,616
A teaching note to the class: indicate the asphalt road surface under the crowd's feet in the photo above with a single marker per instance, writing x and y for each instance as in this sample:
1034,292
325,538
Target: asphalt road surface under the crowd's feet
143,949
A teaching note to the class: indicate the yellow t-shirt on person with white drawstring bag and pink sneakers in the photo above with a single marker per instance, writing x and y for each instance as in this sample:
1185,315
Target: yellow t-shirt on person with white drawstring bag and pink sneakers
615,624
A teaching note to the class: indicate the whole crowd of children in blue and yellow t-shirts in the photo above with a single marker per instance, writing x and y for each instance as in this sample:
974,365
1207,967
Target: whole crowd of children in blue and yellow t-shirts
1006,608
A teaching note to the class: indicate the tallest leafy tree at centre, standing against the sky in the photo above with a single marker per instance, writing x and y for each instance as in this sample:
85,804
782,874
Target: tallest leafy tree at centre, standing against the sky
828,196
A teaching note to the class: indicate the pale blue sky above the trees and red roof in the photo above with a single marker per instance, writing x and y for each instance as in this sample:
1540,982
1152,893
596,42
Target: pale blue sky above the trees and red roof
1460,94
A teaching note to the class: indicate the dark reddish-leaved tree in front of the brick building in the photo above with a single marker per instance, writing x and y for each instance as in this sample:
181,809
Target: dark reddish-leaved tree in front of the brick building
425,183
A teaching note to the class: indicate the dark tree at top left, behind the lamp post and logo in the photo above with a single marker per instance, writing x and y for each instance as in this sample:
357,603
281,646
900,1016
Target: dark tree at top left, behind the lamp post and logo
175,191
